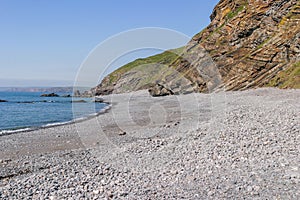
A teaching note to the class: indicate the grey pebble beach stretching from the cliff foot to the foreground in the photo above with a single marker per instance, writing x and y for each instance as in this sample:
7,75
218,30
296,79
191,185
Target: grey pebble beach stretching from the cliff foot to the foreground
241,145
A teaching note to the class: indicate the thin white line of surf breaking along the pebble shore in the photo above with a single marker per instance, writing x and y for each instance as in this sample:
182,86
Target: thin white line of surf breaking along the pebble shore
55,124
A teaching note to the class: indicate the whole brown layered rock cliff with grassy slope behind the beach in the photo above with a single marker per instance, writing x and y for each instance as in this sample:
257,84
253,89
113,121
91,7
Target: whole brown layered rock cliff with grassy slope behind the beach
248,44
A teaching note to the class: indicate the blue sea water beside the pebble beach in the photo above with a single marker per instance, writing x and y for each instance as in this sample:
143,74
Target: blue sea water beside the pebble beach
27,110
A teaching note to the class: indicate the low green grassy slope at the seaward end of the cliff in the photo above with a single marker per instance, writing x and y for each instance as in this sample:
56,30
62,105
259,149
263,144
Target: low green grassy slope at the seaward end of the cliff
139,74
